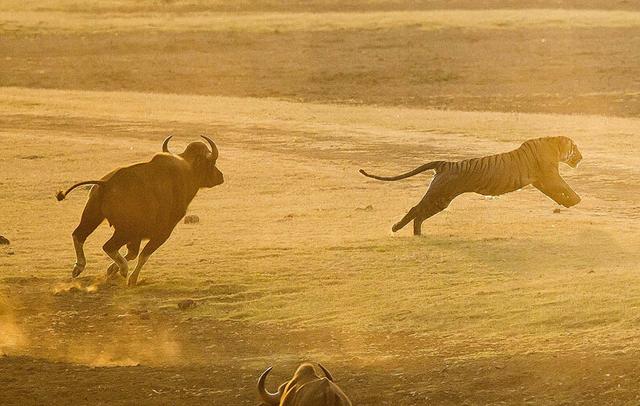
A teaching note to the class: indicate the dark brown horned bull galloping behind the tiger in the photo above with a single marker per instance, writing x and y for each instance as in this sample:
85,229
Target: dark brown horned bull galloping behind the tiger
144,201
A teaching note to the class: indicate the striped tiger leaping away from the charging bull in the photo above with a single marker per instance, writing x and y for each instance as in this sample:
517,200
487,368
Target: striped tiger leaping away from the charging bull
535,163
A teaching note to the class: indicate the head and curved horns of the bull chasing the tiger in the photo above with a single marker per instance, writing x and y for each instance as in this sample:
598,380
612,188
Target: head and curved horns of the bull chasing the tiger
202,160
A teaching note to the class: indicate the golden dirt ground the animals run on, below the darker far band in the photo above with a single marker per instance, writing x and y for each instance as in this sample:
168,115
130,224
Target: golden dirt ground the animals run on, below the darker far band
501,301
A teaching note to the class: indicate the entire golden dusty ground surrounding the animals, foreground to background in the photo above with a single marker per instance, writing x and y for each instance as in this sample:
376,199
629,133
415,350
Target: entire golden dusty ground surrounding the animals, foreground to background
502,301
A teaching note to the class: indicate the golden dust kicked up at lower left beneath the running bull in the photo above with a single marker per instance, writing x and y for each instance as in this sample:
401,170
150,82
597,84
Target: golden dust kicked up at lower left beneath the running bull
116,345
